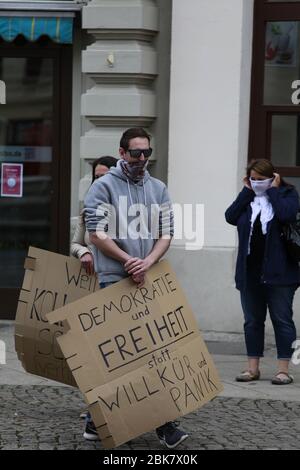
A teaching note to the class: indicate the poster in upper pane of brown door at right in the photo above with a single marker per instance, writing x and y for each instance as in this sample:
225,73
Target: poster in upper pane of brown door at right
281,43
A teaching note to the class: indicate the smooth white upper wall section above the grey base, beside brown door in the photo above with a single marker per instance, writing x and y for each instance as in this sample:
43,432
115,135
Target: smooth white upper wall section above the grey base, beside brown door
209,110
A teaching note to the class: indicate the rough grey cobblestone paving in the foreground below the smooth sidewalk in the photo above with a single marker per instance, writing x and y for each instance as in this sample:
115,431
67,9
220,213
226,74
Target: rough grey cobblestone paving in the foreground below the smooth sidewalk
44,417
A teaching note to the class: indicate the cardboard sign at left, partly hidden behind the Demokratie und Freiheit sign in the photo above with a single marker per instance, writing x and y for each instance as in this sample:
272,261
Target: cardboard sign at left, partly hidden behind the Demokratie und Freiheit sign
50,282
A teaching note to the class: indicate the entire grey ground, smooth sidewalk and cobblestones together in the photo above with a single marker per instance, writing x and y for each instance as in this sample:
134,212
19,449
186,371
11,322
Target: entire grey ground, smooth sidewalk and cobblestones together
36,413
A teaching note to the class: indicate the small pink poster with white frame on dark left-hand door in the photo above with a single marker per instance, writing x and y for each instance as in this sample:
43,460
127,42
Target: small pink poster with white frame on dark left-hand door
11,180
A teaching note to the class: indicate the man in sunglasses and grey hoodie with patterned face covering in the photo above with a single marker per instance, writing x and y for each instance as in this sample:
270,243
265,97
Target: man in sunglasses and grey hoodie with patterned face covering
129,217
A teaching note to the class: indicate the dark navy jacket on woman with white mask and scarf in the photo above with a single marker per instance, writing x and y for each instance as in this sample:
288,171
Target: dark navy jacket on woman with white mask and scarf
278,267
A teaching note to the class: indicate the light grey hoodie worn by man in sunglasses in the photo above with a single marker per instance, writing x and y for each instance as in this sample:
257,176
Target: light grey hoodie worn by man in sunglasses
102,206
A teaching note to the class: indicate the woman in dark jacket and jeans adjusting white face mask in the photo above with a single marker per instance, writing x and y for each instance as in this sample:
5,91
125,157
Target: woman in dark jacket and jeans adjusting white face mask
265,274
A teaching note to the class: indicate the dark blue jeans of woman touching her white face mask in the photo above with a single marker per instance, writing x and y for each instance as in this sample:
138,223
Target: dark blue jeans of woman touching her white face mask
255,299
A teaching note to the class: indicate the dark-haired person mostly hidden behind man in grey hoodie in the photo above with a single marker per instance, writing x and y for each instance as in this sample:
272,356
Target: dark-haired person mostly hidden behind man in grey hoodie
80,245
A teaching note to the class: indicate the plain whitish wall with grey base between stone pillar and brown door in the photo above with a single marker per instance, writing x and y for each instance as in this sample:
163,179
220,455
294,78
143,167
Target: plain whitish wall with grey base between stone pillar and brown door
209,124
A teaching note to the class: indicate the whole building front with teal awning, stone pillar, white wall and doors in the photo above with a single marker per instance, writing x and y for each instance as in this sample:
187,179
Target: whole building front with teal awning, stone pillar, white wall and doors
211,81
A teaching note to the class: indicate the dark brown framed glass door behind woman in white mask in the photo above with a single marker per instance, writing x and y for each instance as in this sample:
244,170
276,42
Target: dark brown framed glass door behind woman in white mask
275,118
